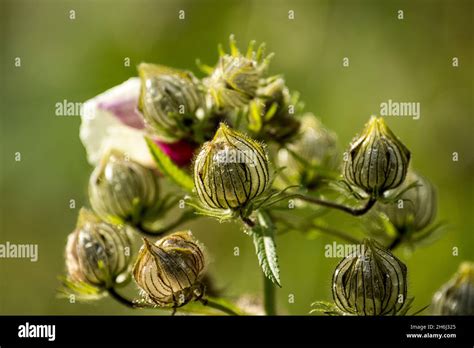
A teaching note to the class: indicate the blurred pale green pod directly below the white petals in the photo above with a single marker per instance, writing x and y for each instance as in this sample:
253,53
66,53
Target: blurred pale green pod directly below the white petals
122,189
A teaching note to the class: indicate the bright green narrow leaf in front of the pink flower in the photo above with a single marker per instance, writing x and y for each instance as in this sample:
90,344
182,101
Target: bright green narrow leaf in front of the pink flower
167,167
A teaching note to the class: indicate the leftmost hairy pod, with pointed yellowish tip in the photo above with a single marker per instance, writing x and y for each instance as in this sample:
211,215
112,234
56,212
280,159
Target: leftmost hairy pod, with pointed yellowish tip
97,252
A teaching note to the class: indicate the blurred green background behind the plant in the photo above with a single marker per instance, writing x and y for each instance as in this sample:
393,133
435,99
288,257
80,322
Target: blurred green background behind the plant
402,60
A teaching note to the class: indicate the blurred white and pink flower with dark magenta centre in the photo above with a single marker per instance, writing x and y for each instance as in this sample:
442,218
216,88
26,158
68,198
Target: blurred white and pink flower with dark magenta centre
111,120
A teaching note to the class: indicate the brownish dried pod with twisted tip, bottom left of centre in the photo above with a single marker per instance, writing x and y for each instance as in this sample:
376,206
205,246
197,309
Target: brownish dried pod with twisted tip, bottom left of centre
169,271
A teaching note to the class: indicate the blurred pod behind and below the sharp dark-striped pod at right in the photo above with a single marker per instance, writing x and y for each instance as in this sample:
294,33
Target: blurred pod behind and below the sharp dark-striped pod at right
417,208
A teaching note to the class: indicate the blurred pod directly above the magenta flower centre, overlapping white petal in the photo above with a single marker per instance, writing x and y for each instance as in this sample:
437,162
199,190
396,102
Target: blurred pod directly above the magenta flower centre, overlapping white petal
170,100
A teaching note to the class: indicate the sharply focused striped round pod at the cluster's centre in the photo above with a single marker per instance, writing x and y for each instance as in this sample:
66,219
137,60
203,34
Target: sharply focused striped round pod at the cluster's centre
230,170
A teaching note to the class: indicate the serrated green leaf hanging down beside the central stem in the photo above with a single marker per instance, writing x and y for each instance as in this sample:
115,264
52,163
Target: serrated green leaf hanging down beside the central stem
264,240
